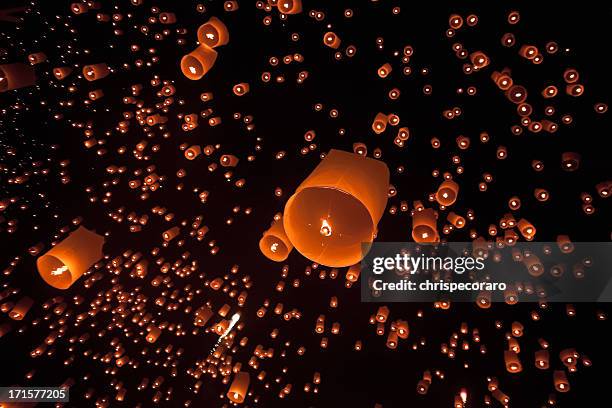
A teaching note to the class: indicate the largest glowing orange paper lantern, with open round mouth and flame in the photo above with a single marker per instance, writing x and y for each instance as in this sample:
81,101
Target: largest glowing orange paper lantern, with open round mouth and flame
337,208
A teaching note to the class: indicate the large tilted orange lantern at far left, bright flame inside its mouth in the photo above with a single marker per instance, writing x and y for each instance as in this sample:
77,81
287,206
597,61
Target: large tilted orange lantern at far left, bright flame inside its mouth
63,264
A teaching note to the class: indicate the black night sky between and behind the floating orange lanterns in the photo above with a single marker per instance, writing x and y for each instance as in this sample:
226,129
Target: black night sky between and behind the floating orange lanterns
283,112
